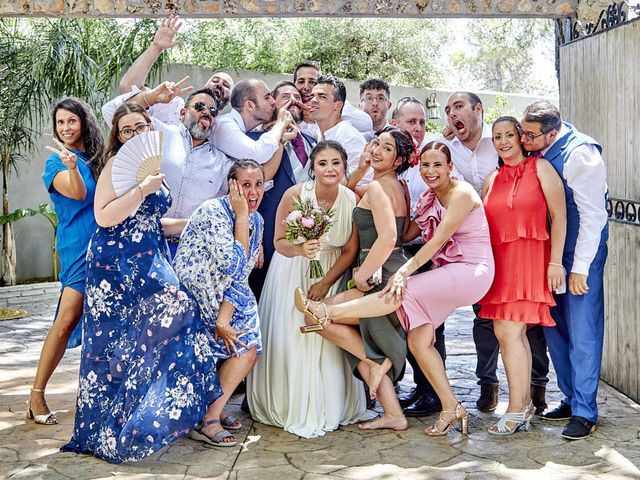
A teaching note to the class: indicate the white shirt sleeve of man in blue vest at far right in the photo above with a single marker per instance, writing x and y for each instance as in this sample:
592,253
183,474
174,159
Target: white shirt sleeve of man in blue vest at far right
586,175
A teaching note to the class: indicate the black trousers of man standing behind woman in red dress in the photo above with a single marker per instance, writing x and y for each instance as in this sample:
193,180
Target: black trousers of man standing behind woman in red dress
487,350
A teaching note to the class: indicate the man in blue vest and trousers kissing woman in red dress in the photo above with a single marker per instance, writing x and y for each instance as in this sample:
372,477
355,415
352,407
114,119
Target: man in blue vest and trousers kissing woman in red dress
575,343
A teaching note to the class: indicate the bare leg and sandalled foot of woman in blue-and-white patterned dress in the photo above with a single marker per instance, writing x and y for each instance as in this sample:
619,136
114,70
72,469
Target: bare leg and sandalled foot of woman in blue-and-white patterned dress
231,374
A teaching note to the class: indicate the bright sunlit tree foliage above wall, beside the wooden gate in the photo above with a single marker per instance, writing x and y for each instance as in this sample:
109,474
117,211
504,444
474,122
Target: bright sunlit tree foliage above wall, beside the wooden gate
503,53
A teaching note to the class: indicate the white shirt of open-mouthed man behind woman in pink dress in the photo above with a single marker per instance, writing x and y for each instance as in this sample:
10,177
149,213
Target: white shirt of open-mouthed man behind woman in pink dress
474,165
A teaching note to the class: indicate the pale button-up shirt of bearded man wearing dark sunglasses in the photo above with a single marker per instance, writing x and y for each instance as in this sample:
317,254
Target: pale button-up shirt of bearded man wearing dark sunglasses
192,174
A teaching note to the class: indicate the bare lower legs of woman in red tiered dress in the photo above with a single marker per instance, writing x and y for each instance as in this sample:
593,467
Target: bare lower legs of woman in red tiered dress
516,356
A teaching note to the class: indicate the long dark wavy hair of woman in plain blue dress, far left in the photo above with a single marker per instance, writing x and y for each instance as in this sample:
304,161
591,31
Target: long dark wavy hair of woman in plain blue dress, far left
90,133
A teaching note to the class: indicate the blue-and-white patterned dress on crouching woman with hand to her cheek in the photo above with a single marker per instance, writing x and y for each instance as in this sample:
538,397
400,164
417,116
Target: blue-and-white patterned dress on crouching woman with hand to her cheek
215,267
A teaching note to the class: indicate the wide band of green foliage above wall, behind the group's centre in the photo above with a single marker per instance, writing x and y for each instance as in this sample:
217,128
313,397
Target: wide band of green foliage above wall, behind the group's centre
400,51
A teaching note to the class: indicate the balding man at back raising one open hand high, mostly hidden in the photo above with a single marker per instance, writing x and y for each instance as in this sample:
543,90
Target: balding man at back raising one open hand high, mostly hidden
220,83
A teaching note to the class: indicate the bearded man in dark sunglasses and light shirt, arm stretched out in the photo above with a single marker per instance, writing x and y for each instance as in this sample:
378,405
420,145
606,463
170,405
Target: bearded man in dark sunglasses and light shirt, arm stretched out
194,169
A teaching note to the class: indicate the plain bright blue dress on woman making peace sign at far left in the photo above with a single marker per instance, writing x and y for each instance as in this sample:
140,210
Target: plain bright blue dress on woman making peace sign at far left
76,224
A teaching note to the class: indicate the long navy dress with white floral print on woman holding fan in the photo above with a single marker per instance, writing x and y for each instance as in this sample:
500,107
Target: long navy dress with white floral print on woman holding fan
147,372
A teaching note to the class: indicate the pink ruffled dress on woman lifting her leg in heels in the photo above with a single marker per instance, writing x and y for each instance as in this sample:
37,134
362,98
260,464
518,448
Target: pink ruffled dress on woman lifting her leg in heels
462,269
